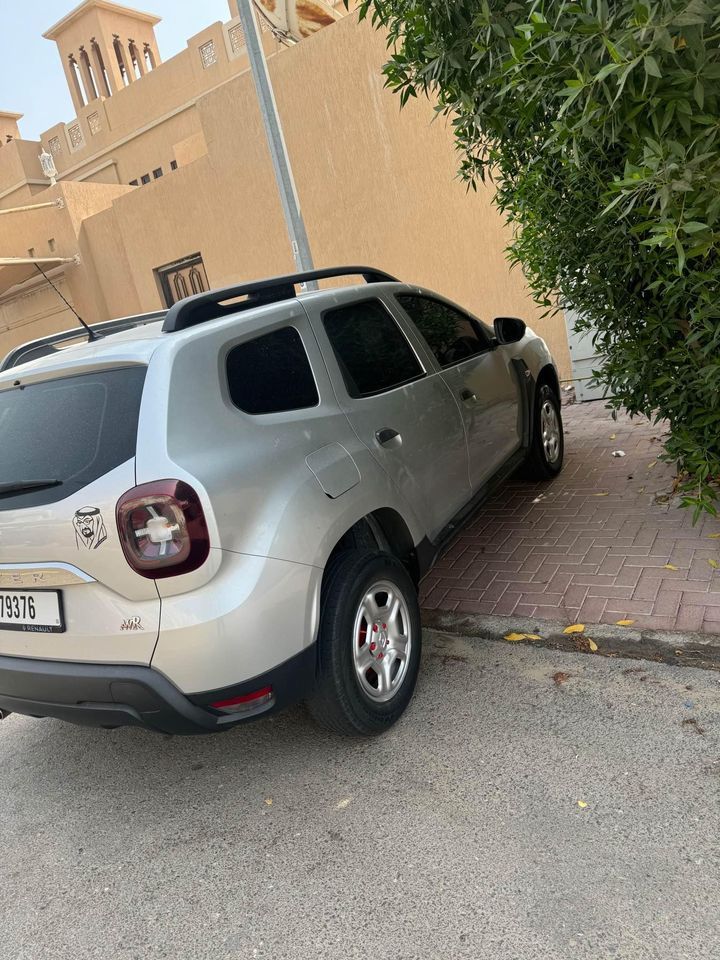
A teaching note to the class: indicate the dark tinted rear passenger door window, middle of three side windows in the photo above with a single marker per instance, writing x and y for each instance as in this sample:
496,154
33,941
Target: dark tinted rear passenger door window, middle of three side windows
372,351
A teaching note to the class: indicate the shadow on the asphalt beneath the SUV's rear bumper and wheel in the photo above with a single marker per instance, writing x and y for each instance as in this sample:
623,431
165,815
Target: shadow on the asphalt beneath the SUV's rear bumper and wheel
70,763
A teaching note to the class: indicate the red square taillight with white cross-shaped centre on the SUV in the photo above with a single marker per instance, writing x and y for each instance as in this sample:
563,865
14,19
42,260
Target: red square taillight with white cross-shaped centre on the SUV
162,529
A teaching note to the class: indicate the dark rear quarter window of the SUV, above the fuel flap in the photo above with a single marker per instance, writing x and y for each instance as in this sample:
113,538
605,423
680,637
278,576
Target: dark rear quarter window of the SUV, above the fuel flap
271,374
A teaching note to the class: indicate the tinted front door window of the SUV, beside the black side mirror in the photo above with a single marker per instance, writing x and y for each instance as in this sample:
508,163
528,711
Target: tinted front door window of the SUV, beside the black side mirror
452,336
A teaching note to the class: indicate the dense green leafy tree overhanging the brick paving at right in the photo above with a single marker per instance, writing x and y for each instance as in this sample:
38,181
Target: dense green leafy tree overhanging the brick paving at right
599,124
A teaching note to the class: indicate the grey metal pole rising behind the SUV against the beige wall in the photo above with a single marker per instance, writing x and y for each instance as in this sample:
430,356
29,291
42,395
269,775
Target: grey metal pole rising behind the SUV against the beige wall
276,140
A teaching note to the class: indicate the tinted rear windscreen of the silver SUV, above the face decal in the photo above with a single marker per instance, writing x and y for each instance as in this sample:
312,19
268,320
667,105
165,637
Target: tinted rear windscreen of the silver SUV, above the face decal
71,429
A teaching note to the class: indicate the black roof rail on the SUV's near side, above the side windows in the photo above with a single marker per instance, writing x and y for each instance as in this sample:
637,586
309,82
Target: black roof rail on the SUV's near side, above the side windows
207,306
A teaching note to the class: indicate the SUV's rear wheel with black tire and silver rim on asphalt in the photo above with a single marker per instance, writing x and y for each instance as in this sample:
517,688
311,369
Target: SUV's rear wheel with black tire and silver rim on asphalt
369,644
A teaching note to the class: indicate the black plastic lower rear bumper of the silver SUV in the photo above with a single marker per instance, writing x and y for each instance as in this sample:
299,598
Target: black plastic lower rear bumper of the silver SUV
110,695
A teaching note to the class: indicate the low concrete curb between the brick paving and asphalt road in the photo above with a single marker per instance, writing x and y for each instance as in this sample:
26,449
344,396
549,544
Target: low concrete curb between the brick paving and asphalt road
681,649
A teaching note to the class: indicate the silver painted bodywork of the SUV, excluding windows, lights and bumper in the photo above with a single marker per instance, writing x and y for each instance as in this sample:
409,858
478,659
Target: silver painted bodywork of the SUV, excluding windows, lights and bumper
279,490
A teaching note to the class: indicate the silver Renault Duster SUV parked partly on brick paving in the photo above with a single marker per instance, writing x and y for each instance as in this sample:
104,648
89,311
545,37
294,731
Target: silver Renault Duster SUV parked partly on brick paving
220,510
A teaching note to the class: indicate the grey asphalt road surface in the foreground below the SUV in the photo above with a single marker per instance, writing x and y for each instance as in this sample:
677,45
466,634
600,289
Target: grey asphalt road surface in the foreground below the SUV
459,834
